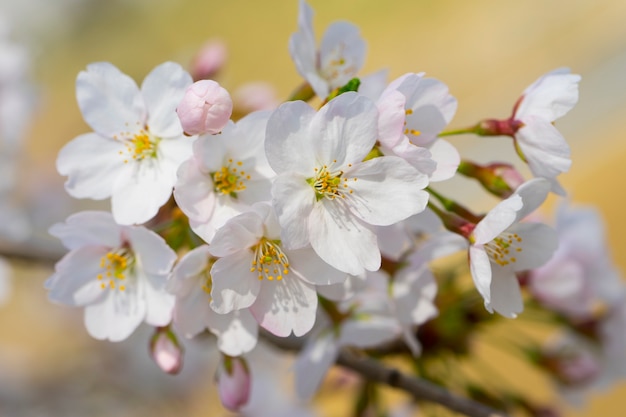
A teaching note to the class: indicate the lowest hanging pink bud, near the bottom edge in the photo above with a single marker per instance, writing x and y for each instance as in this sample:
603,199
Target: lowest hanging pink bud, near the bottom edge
233,379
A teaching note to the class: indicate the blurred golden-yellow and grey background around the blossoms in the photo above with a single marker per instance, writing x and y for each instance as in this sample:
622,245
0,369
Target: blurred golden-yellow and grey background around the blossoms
487,51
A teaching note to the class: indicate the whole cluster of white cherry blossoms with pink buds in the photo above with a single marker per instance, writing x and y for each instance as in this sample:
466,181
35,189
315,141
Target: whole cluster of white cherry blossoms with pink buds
317,222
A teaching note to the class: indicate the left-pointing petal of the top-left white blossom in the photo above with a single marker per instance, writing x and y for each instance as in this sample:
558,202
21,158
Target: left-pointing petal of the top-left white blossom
92,164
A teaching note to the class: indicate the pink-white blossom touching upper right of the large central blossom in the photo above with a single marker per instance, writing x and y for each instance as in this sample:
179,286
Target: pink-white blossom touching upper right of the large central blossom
413,111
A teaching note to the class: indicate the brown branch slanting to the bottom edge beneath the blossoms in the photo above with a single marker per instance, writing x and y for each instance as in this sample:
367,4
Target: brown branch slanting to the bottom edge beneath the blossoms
374,370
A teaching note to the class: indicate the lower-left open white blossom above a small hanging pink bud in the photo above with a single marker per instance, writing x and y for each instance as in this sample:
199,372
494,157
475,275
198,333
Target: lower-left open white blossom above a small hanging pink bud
118,273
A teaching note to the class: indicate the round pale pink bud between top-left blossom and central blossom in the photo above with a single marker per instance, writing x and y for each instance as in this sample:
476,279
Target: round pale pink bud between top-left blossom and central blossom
205,108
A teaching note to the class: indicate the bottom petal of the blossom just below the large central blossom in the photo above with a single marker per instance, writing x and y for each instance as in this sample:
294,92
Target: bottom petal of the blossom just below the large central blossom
286,306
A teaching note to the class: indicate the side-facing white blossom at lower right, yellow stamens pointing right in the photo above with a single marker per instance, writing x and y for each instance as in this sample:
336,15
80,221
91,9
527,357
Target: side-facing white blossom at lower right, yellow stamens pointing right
501,246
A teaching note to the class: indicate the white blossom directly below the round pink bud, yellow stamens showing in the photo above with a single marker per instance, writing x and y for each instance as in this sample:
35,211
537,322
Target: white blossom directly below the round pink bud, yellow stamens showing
225,176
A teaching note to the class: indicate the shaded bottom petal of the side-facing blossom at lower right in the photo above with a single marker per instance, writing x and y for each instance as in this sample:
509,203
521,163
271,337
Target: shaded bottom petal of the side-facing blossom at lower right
506,297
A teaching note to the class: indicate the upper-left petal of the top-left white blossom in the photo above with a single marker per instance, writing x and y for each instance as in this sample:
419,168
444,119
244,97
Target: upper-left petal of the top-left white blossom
109,100
